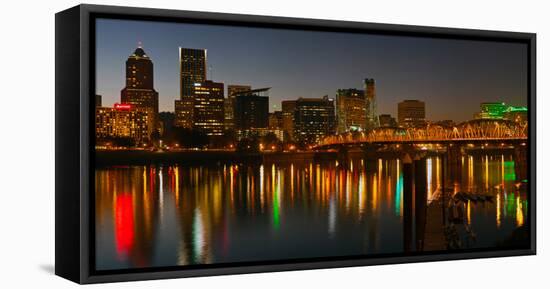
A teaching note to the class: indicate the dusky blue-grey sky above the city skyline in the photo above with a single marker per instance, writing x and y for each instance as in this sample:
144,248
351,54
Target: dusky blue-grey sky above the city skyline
451,76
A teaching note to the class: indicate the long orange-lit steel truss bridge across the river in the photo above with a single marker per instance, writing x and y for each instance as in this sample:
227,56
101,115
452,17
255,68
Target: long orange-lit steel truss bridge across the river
470,131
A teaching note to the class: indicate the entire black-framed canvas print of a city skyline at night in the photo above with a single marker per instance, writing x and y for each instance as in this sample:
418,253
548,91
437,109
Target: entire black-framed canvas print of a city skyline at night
192,144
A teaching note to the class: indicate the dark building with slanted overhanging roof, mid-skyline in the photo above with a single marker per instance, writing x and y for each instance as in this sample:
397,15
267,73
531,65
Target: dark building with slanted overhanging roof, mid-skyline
251,109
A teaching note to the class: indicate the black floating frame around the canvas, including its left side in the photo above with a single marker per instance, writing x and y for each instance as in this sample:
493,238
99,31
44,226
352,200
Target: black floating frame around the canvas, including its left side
75,83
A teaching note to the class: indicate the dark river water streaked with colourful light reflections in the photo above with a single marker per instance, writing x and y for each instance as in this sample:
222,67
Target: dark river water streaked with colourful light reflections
181,215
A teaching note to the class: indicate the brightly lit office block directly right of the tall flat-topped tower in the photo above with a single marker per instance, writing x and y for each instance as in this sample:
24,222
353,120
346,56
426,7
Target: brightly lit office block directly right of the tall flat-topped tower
208,110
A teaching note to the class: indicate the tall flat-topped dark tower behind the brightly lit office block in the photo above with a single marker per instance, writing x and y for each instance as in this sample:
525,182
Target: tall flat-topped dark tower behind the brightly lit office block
192,70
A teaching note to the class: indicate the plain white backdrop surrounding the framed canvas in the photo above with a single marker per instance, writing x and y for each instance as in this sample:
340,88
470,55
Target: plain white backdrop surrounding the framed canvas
27,143
